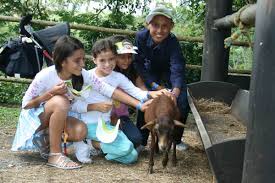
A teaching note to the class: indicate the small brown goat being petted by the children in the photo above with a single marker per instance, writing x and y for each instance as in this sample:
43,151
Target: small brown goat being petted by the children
161,117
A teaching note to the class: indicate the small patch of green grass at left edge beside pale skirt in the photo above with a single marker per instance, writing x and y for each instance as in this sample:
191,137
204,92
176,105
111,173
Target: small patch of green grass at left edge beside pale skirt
9,116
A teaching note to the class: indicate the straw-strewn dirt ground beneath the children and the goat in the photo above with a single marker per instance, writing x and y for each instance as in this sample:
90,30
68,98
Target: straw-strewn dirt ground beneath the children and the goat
192,166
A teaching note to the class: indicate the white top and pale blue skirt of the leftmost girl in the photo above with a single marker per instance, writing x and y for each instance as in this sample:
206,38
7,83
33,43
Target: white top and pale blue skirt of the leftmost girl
43,82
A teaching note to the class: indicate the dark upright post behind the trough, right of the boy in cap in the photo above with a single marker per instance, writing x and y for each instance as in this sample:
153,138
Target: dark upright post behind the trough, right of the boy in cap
215,56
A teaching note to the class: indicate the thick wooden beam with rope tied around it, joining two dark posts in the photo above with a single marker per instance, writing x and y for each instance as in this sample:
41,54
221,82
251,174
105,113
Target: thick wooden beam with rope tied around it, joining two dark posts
246,16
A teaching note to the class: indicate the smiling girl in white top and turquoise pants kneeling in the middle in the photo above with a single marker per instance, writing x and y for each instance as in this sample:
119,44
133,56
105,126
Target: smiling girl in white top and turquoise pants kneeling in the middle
121,149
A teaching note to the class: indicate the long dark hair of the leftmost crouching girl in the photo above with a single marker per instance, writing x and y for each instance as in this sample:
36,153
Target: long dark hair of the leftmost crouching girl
64,48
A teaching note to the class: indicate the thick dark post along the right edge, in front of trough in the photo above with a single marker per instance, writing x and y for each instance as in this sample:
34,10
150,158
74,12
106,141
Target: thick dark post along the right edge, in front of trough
259,163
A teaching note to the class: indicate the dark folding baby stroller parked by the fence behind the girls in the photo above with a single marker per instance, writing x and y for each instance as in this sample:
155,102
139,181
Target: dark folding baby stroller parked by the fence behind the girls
26,55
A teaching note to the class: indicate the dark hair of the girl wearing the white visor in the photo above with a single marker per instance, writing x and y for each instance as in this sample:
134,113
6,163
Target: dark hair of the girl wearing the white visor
130,72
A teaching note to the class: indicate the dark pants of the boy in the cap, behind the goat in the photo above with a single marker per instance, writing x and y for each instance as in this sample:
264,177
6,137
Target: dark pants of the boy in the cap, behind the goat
184,109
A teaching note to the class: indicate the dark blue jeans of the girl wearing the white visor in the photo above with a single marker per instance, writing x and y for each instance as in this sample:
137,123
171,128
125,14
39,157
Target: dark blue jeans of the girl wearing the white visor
130,130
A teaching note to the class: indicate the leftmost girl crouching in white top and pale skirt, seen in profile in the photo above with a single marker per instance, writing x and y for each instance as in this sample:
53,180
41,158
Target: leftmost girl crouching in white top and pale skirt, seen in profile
46,104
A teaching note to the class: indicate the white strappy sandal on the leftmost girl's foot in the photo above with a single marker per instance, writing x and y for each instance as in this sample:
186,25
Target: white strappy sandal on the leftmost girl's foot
63,162
